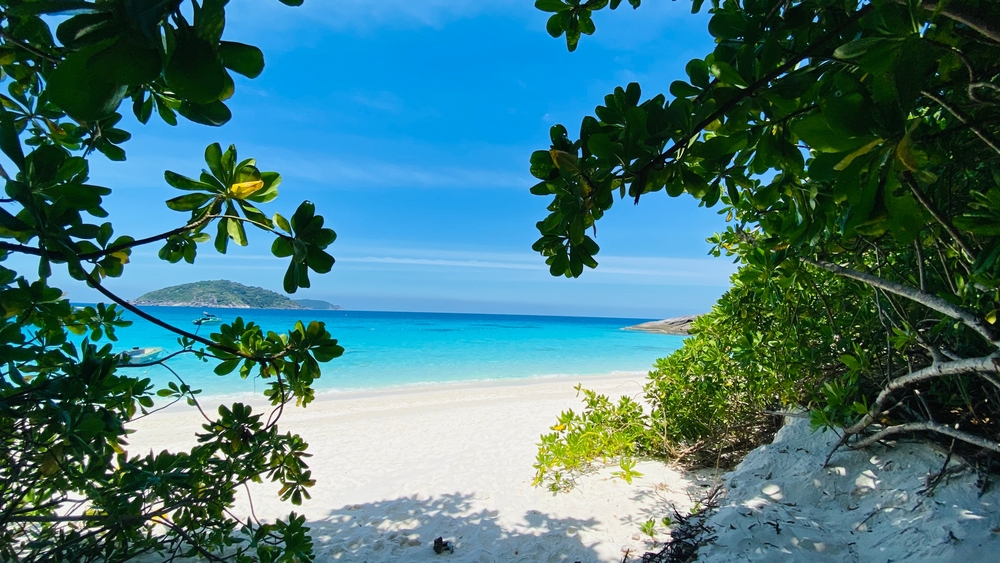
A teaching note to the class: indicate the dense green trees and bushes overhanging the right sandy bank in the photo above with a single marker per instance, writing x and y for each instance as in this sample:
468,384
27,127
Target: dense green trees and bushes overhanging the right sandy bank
852,147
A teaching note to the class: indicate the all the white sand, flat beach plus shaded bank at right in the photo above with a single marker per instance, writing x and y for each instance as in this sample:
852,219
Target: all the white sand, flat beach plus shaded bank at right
396,469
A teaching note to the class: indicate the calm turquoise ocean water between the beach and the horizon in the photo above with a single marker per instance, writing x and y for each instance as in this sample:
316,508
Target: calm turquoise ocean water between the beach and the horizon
395,349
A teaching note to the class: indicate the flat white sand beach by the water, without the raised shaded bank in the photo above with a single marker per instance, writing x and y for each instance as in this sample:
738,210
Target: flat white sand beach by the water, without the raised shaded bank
397,468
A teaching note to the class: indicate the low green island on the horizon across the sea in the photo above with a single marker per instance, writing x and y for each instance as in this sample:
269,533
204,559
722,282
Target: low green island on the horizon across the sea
227,295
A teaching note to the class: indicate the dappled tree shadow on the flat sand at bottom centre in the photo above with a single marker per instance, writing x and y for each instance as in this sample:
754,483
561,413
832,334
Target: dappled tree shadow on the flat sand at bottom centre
404,529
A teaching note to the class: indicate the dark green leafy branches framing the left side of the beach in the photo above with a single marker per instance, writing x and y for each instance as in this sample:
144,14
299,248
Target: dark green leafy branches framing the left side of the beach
69,487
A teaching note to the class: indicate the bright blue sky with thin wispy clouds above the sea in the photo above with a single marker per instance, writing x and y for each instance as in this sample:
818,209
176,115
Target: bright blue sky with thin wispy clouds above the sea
409,124
